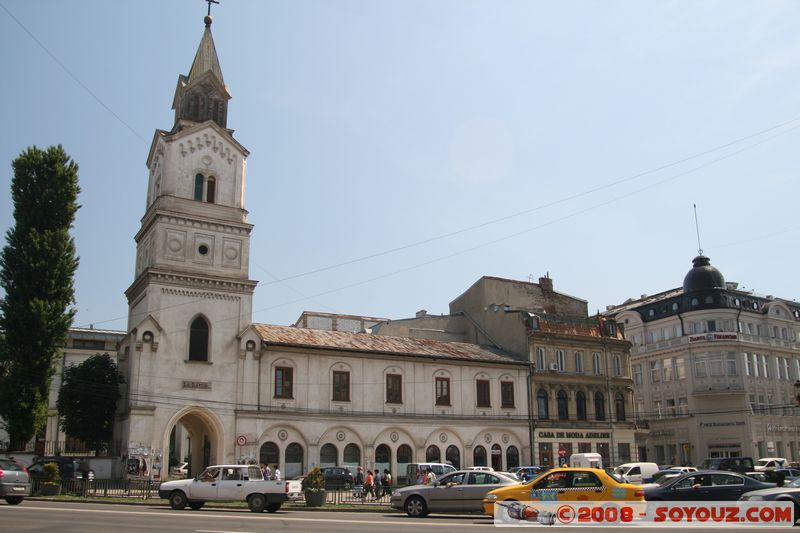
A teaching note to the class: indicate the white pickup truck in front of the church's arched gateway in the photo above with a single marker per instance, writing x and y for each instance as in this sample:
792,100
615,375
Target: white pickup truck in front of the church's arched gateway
230,483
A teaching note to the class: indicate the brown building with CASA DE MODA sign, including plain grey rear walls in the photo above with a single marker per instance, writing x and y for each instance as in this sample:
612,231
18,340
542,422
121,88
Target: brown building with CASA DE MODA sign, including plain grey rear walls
579,385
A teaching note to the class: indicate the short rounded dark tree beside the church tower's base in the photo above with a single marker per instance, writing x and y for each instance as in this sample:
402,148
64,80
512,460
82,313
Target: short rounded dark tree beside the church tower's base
88,398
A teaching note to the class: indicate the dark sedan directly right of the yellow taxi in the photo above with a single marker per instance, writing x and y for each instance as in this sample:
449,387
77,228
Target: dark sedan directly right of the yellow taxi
704,485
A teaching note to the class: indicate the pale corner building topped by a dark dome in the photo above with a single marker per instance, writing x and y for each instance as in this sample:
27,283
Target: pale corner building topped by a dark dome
714,370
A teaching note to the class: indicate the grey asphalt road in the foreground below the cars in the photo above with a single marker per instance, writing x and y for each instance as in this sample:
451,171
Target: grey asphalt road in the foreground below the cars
38,516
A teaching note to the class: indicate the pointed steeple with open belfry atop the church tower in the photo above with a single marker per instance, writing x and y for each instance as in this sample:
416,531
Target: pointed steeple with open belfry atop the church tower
202,95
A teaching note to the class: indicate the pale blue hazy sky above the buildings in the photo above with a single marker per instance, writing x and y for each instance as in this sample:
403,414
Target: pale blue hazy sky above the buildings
400,150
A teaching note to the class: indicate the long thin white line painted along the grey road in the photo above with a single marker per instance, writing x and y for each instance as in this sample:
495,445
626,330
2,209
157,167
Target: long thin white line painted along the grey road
261,517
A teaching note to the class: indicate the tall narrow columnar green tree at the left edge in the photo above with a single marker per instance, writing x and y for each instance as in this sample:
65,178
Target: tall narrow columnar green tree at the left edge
37,266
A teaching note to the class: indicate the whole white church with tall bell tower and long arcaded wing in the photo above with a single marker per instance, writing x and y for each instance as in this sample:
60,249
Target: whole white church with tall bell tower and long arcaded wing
292,396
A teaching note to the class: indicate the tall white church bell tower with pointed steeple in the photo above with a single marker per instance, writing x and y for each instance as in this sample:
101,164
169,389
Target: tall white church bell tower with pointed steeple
191,295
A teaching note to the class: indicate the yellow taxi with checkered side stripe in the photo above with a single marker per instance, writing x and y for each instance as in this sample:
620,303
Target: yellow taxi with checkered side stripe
567,485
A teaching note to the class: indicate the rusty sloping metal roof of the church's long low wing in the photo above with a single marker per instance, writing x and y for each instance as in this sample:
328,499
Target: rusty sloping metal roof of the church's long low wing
380,344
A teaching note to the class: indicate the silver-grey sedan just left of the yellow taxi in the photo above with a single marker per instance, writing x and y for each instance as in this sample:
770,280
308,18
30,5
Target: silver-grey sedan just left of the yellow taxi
460,491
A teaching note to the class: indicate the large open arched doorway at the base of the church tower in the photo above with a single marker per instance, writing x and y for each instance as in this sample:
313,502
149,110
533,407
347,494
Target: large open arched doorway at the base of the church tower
193,439
